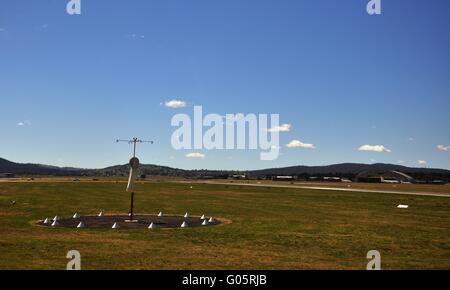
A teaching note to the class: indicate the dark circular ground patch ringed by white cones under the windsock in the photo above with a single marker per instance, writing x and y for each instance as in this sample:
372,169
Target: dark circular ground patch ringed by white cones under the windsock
143,221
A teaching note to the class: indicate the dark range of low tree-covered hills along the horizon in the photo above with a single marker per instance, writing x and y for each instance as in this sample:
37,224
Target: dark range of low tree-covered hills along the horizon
349,170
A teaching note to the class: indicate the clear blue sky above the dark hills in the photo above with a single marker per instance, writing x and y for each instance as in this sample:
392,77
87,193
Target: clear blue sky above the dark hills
71,85
